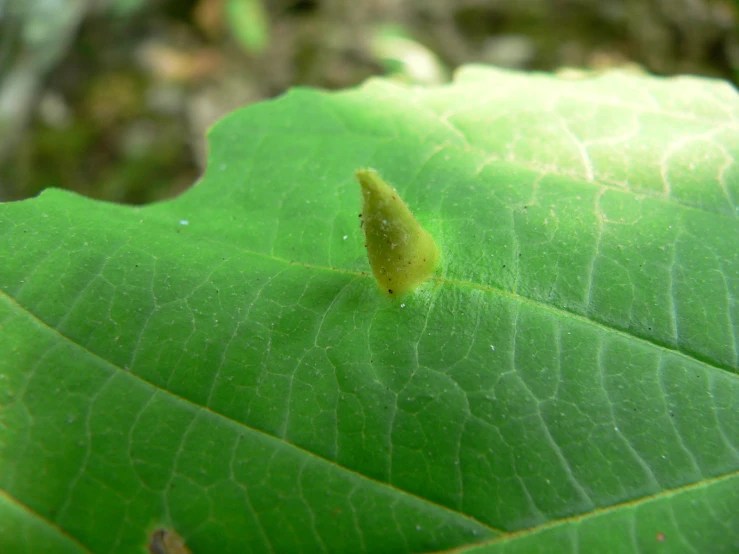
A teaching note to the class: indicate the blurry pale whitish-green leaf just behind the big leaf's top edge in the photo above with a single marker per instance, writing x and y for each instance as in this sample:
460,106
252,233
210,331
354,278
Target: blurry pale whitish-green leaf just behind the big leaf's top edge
405,59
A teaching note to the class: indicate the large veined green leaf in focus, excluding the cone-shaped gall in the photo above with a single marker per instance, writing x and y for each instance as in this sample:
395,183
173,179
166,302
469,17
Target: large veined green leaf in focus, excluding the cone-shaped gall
223,364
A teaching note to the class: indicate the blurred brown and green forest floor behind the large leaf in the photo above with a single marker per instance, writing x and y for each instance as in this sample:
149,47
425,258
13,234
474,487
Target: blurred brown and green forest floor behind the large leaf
112,98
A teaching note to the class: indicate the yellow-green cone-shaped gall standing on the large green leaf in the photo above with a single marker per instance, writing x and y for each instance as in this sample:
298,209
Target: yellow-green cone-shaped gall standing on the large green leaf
401,253
